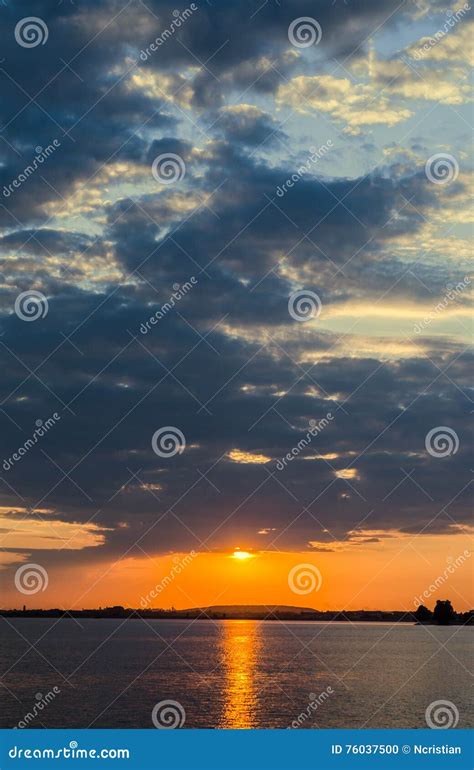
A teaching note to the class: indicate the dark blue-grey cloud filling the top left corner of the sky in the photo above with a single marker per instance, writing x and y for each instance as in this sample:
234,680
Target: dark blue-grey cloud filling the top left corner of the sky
73,90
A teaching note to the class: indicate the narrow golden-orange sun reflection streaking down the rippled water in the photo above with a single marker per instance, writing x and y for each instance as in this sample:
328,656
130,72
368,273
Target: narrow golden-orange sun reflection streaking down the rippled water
241,645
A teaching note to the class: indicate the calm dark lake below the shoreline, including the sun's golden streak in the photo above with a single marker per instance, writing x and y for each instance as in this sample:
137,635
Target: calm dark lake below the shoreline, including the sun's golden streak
231,673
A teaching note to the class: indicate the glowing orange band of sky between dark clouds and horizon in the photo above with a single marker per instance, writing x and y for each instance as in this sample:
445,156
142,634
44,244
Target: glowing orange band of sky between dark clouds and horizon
386,575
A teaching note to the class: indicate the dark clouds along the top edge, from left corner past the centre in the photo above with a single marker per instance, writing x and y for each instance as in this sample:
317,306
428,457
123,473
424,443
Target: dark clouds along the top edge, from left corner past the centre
75,88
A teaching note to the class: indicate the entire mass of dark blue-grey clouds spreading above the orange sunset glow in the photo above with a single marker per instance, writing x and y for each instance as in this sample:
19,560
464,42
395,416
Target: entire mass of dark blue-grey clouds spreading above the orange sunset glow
224,364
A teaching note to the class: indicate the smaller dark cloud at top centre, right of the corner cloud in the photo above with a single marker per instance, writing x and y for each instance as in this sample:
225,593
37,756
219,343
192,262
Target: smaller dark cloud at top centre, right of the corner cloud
233,39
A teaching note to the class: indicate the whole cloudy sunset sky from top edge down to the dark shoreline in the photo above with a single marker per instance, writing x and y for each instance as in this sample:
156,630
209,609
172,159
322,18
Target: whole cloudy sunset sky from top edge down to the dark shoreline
235,303
